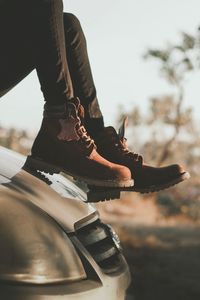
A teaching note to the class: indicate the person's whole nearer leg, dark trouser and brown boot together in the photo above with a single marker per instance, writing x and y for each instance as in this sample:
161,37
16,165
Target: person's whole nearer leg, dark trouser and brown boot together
62,142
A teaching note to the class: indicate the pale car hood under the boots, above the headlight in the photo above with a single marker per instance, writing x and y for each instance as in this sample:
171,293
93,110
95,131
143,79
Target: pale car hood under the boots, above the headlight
60,198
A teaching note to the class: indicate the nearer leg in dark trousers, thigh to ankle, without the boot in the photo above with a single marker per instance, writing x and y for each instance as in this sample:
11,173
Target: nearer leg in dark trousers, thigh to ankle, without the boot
32,36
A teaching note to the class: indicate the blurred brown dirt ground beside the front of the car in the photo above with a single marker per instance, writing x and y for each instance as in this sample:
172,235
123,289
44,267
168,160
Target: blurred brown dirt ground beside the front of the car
163,254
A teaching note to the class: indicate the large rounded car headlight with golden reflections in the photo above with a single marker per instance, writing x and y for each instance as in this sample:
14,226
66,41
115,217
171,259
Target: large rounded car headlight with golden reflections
28,237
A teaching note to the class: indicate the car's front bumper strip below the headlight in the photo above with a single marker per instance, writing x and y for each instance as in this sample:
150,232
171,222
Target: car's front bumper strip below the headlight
87,289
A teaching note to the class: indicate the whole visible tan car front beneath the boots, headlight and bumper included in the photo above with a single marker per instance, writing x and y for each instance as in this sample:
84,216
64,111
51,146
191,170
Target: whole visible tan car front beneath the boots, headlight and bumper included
41,254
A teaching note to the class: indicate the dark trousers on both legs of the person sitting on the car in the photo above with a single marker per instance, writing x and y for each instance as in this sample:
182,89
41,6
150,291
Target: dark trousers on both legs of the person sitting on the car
36,34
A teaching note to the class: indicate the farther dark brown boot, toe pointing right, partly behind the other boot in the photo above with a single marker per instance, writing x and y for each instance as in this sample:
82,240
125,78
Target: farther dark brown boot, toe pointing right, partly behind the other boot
113,147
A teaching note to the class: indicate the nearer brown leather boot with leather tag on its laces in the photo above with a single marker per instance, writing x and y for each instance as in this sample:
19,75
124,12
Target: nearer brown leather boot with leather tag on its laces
63,144
